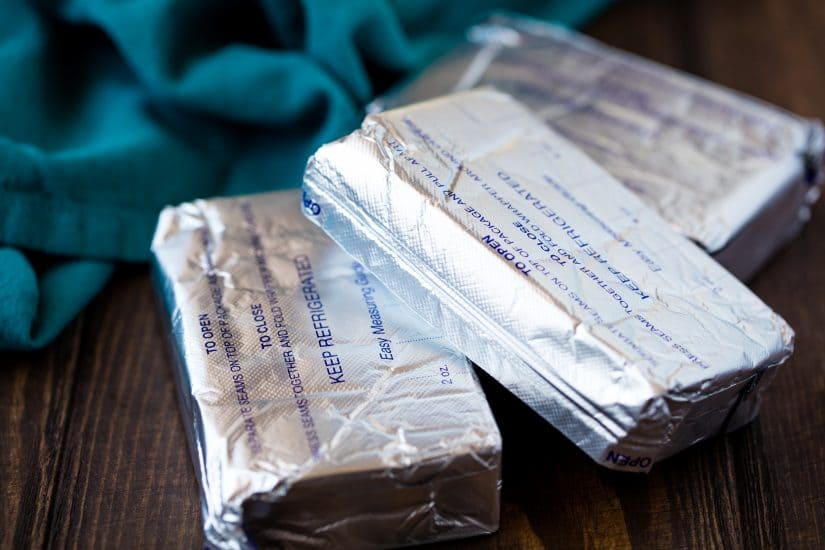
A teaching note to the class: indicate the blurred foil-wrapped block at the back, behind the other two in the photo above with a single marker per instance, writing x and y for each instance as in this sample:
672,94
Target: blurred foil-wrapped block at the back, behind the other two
733,173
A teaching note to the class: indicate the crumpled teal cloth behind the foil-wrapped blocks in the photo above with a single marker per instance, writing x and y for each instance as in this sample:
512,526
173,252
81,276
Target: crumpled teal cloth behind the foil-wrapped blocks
111,110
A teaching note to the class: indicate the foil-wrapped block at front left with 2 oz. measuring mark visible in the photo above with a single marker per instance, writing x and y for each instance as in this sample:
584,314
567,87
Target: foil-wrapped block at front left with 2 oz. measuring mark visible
320,410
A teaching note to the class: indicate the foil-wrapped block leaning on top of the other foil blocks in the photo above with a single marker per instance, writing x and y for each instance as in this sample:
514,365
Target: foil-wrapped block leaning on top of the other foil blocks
549,274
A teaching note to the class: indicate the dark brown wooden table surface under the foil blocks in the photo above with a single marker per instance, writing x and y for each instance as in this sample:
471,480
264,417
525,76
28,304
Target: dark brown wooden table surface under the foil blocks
92,450
